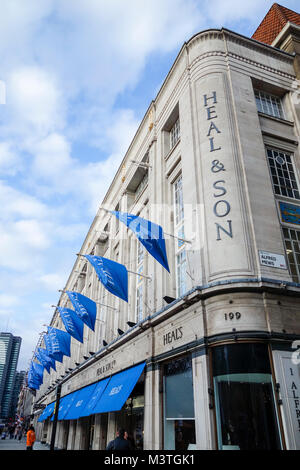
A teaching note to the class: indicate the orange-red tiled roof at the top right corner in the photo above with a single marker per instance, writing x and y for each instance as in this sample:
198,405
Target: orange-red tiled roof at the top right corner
274,21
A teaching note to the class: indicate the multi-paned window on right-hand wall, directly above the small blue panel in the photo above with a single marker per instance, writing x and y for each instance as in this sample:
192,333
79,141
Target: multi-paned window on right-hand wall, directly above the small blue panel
282,173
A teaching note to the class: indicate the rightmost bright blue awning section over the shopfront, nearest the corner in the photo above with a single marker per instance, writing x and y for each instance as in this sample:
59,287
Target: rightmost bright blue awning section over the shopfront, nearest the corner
118,390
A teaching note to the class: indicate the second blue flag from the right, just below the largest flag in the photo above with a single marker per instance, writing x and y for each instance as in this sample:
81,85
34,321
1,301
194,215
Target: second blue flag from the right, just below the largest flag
114,276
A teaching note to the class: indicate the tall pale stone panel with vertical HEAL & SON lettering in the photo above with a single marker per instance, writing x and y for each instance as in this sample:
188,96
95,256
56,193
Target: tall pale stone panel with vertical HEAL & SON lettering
224,216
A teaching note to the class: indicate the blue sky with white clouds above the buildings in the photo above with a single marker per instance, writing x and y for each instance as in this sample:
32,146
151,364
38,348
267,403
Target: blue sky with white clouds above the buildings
77,77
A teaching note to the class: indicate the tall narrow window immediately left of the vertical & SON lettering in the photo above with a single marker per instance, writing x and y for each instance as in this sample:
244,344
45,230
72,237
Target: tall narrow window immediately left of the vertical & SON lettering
180,252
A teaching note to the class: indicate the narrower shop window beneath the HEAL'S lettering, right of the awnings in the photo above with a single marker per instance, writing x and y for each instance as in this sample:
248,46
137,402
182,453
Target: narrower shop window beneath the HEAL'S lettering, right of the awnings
179,415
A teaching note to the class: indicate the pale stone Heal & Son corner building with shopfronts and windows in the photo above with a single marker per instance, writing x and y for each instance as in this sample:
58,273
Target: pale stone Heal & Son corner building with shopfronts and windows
215,162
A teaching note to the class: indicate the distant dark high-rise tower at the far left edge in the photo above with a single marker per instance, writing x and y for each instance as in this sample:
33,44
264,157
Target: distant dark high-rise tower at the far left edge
9,355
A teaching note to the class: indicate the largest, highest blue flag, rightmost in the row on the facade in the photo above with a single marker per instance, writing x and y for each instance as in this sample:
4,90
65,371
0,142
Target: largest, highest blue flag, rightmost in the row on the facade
149,234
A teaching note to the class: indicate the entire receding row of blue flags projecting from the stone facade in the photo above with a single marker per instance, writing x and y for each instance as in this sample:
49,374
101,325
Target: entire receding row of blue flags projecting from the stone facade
114,277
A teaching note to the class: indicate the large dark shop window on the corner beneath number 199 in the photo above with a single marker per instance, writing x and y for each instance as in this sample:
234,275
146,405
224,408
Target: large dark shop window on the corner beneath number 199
244,396
